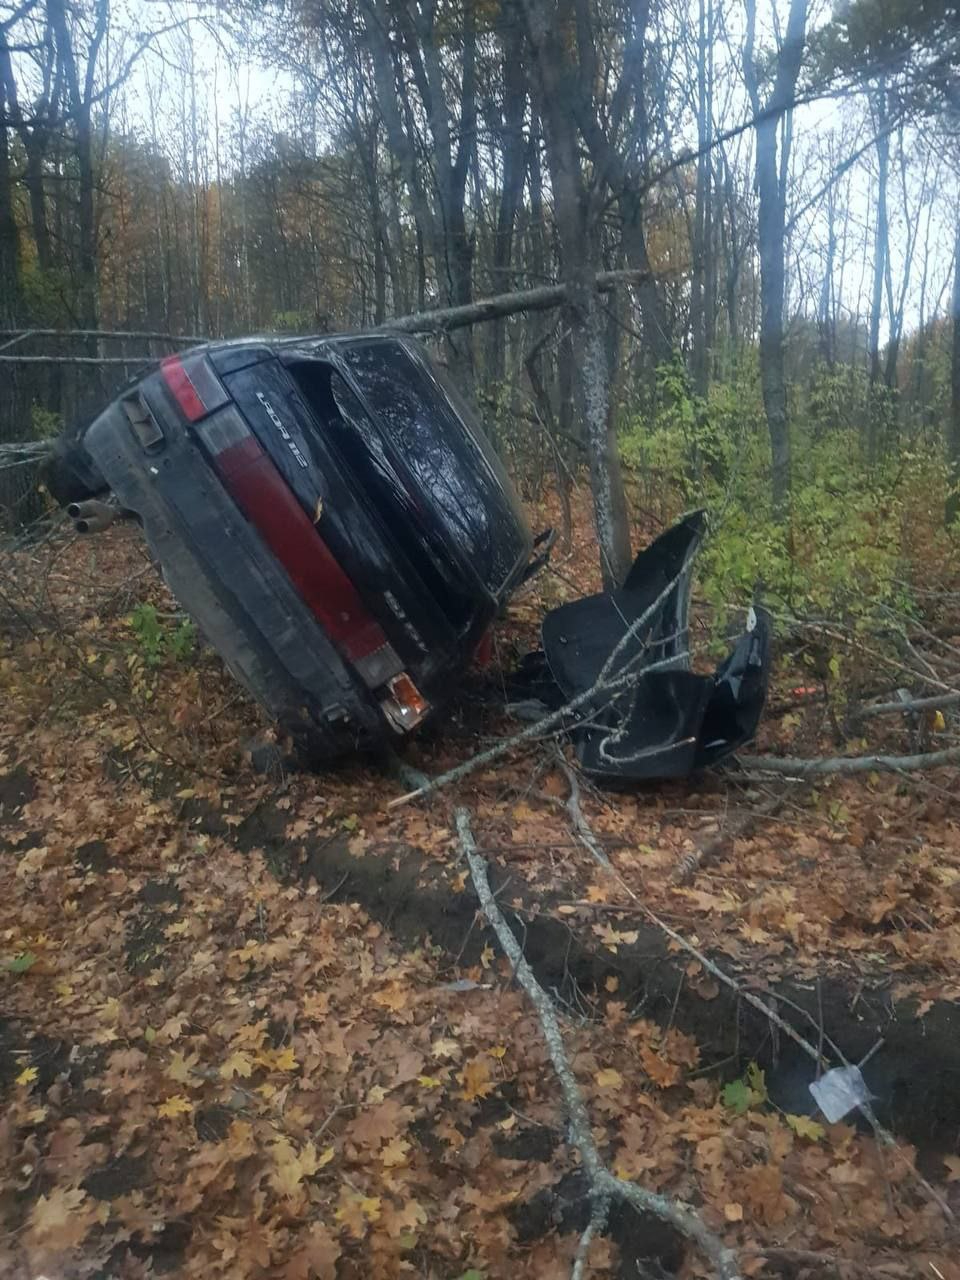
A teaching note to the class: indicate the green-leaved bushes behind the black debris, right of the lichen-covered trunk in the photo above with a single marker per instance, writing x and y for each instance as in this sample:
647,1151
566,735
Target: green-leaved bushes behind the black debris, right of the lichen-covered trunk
860,538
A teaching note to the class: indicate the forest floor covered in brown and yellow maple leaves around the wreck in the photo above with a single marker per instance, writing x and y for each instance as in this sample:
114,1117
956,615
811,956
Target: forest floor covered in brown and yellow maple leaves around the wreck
212,1067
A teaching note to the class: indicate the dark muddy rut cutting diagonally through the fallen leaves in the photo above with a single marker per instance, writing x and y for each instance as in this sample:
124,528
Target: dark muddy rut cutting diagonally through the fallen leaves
915,1076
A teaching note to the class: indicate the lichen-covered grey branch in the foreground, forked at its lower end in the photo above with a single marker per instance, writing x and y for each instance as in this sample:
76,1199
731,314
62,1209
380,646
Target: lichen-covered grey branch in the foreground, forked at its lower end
604,1185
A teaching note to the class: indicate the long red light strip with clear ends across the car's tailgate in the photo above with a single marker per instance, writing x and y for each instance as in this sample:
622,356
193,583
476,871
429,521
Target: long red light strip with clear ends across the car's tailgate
259,490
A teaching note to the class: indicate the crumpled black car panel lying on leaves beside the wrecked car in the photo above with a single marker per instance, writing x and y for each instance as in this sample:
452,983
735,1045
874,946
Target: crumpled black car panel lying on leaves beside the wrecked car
648,715
